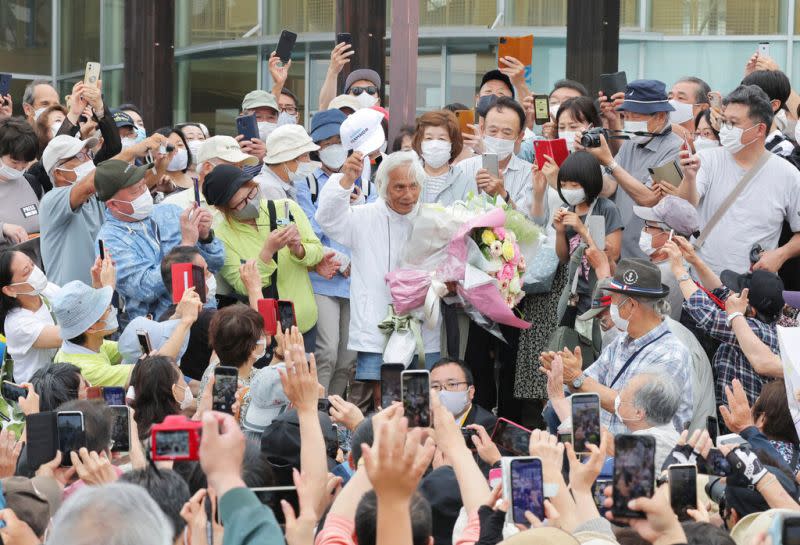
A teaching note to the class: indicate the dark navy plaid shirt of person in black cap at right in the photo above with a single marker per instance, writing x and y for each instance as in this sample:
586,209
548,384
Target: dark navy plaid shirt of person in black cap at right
729,360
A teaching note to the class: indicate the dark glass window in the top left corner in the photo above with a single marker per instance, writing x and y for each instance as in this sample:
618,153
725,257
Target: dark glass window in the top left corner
25,38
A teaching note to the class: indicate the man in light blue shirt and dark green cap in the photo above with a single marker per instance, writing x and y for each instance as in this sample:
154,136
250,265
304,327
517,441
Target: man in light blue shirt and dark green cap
139,234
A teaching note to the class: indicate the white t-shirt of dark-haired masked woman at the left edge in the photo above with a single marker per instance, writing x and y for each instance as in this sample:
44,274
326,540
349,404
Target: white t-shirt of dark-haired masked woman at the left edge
22,328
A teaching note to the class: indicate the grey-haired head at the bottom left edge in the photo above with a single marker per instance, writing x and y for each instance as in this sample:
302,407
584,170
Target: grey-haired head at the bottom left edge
112,514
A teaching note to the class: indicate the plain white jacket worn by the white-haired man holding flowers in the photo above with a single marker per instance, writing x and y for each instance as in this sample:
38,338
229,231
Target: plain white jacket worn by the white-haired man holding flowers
376,236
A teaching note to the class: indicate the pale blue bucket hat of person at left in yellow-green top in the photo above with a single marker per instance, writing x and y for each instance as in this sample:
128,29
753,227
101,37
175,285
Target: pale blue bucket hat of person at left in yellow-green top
78,306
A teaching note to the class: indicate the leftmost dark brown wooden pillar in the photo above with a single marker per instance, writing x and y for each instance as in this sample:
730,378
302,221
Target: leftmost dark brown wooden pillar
150,59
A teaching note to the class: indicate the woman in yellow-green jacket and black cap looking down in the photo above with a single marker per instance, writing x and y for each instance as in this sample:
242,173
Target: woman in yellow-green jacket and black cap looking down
276,234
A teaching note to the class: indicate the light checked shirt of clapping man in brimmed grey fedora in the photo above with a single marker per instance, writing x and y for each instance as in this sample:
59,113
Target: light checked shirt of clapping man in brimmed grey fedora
665,355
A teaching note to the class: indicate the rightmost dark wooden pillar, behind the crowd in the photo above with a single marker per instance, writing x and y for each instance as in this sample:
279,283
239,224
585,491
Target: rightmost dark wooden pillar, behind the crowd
592,40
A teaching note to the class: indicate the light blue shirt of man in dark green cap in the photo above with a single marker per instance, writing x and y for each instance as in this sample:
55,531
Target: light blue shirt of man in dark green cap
139,247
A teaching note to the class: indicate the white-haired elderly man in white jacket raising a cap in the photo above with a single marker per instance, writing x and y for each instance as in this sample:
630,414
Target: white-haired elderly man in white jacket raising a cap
376,234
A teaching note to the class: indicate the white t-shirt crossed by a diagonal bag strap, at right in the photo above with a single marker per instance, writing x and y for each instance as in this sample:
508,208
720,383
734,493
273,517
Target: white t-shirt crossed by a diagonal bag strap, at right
757,215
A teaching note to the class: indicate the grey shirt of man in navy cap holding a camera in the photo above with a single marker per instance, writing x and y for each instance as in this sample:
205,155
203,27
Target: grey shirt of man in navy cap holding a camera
636,159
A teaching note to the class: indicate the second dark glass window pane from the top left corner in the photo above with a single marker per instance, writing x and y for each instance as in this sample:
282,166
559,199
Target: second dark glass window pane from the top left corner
79,34
